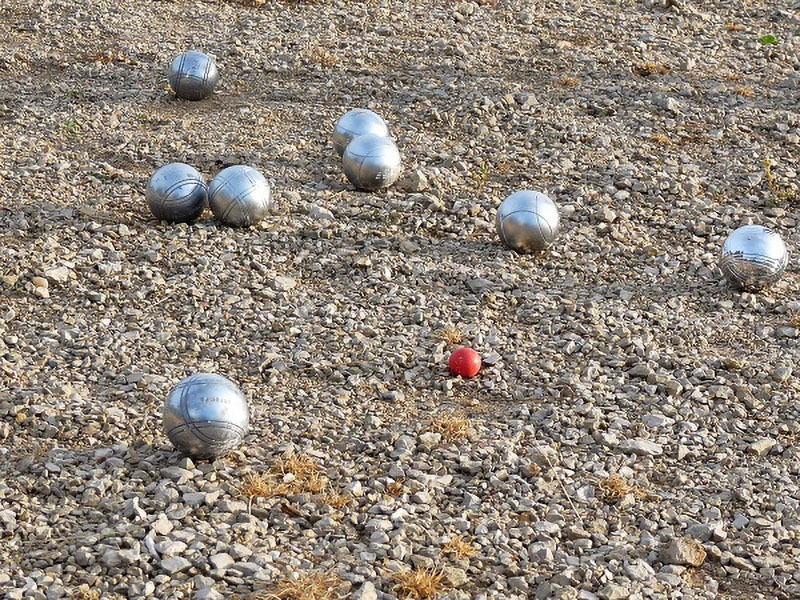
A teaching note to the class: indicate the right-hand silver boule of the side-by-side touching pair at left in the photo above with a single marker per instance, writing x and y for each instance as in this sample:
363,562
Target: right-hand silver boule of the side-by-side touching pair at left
239,196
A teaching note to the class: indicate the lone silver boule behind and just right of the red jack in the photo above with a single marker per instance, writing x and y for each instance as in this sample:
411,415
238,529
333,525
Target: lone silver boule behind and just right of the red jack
527,221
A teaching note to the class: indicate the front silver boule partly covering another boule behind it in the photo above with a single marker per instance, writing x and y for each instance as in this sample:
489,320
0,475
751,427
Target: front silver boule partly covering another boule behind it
371,162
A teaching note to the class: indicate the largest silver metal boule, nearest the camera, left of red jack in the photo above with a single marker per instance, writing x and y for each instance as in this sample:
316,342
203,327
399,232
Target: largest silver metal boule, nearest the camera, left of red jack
206,415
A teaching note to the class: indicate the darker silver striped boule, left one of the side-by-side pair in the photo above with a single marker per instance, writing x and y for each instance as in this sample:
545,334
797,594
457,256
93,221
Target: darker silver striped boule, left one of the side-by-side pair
176,193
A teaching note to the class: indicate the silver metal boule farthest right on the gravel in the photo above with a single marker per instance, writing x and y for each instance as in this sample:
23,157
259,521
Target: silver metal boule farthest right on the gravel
753,257
